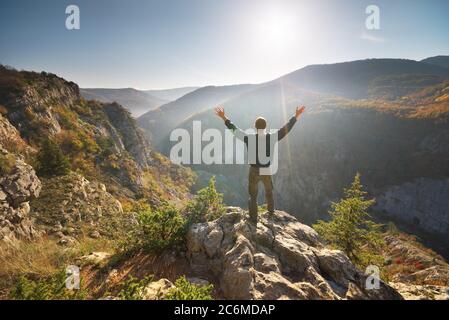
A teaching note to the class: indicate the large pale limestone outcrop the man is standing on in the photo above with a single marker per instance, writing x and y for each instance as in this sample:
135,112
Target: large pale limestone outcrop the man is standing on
279,259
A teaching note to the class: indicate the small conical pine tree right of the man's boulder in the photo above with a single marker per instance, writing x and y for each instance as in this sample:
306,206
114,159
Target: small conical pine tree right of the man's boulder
350,228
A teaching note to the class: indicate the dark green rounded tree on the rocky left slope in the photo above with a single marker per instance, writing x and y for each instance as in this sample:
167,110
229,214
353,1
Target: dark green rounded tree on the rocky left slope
51,161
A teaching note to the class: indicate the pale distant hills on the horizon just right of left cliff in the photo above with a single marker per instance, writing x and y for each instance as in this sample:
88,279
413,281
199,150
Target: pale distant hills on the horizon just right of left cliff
137,102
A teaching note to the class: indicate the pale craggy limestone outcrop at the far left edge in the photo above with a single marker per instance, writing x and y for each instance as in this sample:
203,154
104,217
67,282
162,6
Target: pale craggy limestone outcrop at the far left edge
18,185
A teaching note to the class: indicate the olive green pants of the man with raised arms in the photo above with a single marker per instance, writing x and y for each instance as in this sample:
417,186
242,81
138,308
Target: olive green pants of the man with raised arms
253,189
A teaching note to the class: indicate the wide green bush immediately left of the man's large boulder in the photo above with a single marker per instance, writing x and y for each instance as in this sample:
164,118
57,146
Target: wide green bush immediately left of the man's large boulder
156,230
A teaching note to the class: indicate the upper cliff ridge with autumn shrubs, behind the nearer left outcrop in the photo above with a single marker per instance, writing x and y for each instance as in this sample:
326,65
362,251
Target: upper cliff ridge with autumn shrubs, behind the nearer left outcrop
101,140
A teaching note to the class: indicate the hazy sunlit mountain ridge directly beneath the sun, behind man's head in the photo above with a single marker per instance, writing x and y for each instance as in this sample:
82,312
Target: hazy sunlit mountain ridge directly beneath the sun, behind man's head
373,78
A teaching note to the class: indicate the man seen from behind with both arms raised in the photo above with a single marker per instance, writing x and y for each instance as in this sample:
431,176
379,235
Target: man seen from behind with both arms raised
256,173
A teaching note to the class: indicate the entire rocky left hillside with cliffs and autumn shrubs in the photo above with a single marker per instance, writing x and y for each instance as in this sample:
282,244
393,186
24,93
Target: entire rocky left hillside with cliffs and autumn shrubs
107,154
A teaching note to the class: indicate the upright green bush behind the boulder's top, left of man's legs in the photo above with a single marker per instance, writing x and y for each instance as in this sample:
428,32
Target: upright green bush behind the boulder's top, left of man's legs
207,204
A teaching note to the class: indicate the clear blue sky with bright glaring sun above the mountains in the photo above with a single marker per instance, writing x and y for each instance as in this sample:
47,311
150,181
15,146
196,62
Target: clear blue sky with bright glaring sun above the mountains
175,43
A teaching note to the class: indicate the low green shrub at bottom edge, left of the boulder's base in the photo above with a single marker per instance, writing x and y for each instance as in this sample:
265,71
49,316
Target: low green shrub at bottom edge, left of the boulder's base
184,290
